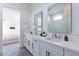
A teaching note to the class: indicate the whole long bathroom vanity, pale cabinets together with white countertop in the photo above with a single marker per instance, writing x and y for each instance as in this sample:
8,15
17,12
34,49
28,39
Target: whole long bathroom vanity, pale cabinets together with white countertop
43,46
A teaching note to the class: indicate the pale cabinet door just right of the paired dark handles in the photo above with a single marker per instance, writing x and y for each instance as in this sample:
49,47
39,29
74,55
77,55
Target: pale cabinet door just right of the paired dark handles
55,50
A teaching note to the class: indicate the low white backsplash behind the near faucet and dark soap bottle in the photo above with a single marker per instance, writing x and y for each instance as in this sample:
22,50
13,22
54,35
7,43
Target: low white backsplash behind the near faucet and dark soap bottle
61,36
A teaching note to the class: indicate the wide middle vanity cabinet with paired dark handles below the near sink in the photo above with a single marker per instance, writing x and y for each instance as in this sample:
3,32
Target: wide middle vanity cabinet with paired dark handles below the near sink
48,49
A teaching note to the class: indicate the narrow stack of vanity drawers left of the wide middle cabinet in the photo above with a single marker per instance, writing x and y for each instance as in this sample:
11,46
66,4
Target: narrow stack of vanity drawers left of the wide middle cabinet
35,47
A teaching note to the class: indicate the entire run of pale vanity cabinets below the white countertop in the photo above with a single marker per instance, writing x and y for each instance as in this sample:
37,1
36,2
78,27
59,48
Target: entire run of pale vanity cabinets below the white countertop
42,47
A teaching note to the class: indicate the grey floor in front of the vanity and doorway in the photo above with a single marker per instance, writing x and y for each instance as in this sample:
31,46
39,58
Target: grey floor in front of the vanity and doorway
15,50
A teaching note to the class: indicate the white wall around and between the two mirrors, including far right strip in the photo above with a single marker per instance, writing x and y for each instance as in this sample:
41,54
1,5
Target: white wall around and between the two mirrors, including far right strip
44,8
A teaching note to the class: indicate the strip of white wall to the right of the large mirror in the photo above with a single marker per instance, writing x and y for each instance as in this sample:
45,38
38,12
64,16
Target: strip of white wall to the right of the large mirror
75,18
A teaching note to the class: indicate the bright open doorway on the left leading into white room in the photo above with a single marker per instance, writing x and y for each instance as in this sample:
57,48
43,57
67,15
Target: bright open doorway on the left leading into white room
11,28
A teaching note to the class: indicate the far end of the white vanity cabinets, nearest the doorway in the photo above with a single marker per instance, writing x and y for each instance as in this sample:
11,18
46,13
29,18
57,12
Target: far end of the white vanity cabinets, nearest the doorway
32,44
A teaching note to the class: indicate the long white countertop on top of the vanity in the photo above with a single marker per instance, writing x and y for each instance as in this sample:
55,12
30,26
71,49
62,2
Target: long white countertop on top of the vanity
73,45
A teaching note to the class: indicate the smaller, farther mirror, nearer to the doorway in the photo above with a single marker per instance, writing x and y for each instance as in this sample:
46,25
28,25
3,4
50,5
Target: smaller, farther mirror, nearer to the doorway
38,22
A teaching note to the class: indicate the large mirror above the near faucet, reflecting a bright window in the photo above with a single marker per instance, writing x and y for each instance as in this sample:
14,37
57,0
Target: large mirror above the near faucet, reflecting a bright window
59,18
